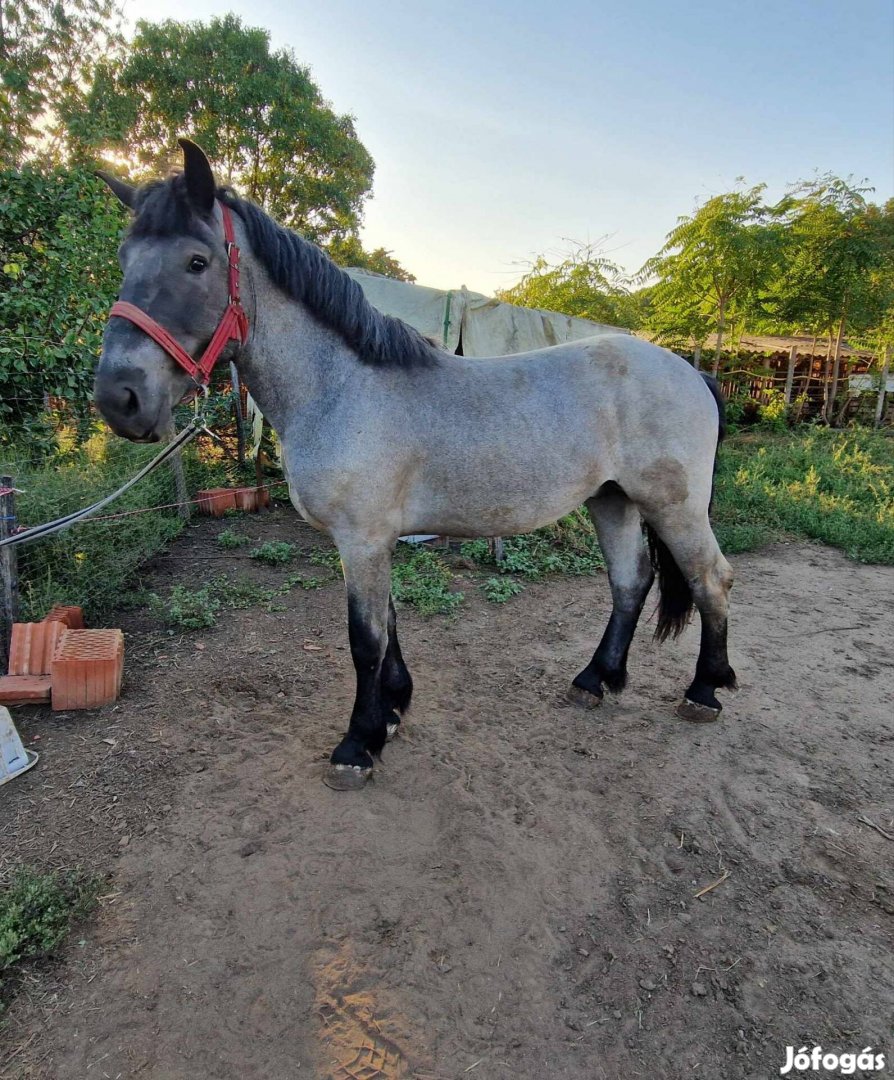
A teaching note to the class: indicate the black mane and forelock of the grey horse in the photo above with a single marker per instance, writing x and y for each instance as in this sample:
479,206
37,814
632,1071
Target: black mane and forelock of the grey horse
300,268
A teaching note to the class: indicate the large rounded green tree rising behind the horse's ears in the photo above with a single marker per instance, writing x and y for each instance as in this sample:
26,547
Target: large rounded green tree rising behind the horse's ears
258,114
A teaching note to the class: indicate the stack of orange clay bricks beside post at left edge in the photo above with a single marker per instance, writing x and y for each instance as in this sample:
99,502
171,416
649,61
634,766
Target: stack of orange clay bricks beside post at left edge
59,660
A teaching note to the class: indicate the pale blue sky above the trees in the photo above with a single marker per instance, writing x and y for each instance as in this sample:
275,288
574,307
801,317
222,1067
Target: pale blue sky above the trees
503,129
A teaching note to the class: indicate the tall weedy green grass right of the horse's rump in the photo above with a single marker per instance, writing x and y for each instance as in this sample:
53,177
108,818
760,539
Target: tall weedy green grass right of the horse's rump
833,487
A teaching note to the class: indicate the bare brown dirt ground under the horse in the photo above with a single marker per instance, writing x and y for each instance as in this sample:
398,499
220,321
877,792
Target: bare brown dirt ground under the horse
514,897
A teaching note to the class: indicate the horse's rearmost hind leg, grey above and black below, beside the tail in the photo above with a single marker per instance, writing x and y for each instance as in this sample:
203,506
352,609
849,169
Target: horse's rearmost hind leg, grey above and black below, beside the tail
709,576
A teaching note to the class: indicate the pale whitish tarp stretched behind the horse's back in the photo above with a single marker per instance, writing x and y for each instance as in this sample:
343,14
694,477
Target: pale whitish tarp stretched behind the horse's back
490,328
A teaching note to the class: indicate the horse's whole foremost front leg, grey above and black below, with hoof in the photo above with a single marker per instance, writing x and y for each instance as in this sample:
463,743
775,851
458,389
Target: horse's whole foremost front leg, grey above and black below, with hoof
368,576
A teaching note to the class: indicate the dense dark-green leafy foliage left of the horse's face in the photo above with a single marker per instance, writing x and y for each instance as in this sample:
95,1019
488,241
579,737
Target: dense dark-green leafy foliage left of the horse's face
59,277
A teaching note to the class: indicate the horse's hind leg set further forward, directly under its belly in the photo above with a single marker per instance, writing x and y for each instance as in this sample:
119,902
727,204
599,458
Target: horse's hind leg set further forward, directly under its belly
620,531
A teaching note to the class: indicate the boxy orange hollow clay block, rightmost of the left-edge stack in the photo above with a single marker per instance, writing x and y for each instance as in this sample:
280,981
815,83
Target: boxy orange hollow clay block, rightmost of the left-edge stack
88,669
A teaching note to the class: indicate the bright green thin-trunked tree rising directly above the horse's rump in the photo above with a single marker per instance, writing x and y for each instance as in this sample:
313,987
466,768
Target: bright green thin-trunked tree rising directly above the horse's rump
713,267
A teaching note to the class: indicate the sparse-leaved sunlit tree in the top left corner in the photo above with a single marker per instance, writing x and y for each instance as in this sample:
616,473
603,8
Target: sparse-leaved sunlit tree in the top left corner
46,62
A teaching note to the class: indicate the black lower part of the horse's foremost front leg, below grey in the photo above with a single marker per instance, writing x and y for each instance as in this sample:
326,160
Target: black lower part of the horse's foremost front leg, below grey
368,730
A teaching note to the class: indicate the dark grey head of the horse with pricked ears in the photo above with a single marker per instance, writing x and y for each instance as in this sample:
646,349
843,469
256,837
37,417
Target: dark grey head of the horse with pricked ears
175,265
